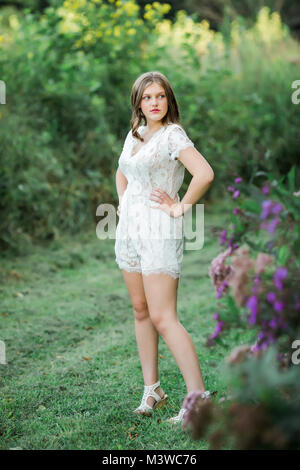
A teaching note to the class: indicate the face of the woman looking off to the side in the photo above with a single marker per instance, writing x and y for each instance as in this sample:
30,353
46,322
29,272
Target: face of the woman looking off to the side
154,97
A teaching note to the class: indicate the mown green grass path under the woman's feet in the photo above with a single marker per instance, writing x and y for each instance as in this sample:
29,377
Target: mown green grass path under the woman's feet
73,374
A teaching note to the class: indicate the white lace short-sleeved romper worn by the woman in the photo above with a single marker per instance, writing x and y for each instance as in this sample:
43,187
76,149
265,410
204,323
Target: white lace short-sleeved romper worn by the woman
148,240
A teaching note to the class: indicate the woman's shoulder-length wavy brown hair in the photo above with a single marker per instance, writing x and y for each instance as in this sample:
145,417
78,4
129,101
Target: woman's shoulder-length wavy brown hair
172,115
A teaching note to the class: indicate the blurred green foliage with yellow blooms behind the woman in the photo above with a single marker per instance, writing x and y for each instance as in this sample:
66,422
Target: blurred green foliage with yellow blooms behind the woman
69,73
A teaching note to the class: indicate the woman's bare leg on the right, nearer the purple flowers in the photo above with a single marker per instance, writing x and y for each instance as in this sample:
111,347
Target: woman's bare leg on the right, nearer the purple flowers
161,296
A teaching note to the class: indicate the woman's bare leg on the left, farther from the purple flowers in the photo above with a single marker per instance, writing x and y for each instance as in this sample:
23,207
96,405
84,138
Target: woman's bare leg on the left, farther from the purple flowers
145,332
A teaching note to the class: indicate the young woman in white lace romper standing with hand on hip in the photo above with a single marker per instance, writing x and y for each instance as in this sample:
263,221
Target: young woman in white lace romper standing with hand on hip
150,174
